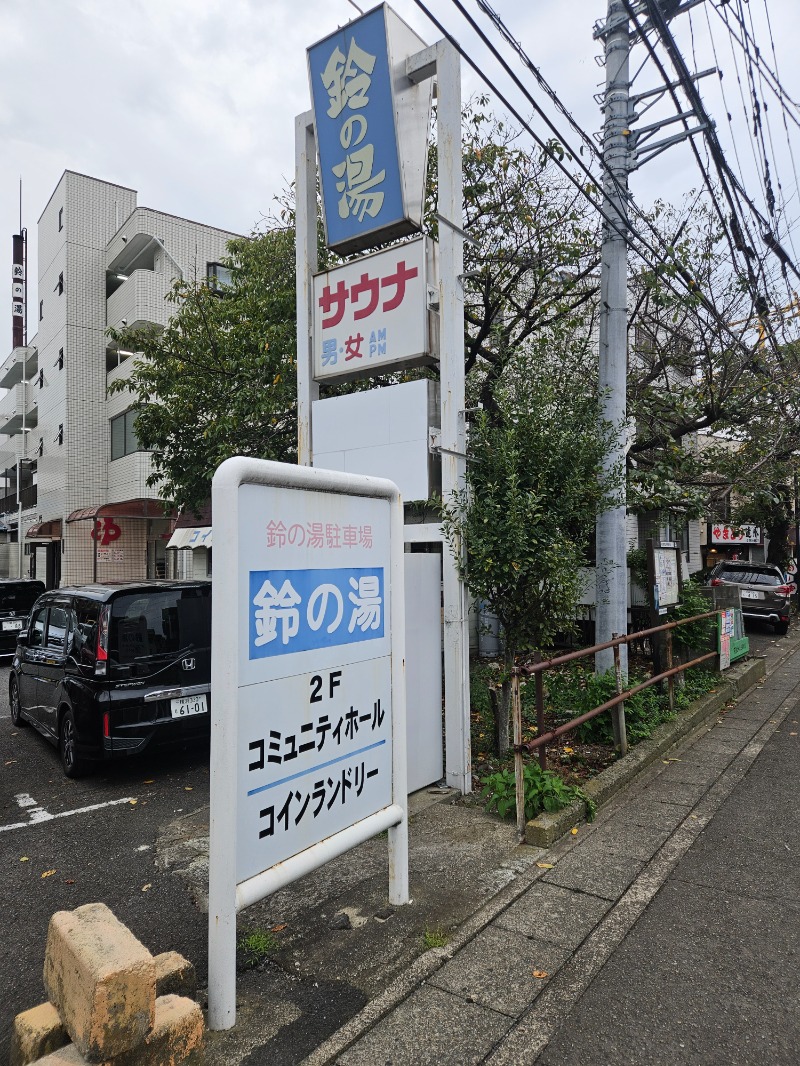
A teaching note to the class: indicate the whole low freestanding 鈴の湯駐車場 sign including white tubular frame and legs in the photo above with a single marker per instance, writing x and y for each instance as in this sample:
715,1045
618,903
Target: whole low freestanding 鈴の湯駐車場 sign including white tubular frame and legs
309,703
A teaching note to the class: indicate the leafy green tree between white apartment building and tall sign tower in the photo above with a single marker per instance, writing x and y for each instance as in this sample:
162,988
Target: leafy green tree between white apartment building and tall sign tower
220,380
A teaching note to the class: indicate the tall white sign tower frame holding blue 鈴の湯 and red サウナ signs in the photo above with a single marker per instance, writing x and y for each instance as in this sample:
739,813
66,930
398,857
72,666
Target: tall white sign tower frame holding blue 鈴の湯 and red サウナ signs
372,92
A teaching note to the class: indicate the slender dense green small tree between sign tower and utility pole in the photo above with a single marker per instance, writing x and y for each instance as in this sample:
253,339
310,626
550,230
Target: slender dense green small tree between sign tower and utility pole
534,488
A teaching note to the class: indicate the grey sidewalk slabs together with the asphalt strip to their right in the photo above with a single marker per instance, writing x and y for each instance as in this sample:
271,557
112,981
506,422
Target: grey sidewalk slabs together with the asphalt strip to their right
665,933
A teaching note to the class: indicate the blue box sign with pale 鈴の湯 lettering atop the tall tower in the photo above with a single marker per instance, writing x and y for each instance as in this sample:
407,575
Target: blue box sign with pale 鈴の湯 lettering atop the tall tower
373,182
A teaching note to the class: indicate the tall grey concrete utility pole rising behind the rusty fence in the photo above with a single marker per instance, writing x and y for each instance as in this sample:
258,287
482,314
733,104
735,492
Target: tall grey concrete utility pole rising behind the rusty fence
612,563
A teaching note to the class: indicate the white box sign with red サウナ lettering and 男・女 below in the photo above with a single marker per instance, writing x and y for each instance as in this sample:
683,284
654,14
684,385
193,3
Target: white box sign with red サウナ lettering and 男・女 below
372,315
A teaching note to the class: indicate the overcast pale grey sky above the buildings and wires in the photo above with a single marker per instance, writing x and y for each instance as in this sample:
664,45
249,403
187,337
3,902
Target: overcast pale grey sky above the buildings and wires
191,103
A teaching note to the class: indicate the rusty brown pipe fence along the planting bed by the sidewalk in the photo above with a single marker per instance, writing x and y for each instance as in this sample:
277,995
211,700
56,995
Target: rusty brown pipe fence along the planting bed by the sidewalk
616,706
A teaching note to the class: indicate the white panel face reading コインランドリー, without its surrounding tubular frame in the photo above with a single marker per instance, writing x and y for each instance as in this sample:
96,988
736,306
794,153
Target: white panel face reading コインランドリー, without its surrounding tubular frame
315,671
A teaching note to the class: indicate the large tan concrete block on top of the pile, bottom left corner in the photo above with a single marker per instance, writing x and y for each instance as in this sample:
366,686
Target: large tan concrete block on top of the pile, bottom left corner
102,981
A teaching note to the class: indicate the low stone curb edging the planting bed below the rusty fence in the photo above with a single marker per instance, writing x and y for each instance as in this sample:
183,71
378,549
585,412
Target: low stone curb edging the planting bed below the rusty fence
547,829
